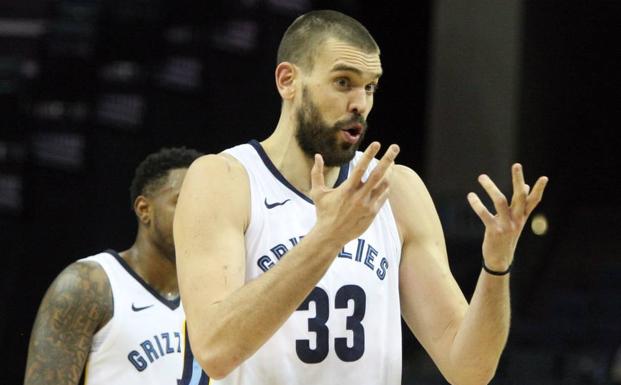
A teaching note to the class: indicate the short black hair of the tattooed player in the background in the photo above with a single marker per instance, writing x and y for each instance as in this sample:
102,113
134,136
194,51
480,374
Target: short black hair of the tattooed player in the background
152,171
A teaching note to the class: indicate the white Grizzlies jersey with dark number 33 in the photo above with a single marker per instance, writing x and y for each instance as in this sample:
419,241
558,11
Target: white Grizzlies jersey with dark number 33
348,330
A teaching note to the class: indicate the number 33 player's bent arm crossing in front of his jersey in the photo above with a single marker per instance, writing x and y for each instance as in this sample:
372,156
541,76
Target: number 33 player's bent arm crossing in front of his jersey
228,320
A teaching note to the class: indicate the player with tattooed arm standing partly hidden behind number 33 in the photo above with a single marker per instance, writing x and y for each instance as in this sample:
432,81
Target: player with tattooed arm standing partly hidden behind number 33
116,318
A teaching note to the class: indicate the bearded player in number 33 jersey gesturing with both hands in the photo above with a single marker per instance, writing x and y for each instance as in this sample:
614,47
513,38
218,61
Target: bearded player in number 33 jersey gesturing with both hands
304,256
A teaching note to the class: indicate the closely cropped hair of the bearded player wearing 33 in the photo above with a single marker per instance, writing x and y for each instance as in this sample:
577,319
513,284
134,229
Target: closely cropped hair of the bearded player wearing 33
300,42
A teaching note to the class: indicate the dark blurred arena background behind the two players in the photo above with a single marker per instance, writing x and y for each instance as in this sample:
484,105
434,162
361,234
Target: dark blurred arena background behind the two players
89,87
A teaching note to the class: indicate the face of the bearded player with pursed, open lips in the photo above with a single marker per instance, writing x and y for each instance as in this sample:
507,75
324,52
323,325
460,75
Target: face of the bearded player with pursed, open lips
336,98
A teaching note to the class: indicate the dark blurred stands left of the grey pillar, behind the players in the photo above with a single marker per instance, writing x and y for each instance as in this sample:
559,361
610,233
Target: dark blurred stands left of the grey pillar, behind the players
89,87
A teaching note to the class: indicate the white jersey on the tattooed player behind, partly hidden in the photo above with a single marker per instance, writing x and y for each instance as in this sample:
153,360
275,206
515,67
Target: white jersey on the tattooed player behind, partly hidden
143,342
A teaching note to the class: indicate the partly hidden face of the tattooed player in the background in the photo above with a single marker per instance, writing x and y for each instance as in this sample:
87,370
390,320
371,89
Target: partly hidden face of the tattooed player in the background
164,202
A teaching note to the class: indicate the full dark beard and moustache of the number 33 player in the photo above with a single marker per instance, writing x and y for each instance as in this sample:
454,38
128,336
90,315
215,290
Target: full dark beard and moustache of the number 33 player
314,136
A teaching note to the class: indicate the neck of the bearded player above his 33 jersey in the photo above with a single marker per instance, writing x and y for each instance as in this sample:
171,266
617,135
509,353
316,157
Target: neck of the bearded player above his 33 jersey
283,150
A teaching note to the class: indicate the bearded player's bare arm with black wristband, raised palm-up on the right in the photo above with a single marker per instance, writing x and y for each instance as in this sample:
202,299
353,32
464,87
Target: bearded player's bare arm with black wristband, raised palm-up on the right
464,340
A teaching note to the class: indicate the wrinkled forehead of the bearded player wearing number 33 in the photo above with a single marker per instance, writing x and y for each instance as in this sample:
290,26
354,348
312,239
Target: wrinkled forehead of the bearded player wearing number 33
335,55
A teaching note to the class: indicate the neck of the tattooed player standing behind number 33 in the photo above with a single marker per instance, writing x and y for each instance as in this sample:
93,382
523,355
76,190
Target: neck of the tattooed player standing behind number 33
152,266
